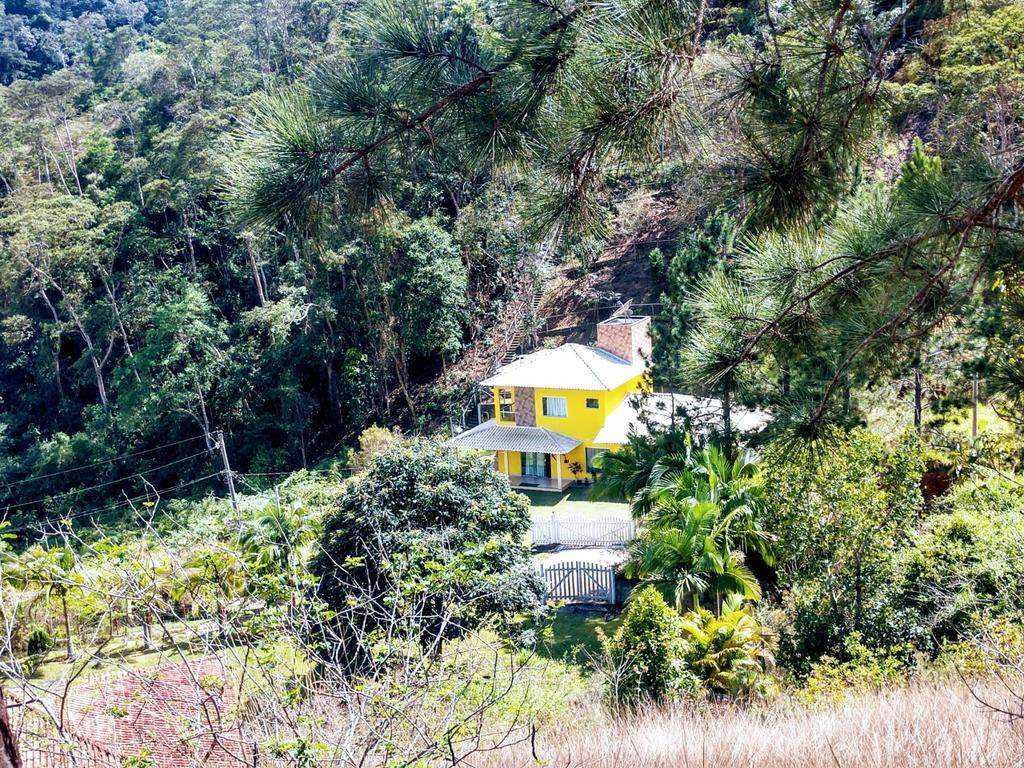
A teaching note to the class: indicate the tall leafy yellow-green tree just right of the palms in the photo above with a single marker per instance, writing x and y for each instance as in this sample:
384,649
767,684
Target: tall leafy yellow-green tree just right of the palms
841,514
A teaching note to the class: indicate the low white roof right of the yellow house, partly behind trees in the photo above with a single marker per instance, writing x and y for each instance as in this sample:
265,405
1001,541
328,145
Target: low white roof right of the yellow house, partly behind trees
703,413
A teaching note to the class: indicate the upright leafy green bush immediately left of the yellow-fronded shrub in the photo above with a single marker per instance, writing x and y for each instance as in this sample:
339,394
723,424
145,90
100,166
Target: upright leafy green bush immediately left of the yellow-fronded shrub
646,659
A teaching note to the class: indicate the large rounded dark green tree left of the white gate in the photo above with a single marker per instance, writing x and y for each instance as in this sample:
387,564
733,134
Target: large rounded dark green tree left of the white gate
432,533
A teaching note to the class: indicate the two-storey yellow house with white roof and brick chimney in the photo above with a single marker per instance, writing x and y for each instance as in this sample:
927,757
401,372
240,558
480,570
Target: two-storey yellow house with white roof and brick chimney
557,410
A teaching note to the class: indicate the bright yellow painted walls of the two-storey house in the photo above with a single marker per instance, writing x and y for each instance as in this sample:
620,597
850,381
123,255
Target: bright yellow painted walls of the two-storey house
582,423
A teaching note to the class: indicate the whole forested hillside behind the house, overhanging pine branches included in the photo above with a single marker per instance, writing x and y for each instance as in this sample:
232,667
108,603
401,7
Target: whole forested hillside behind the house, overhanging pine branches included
222,217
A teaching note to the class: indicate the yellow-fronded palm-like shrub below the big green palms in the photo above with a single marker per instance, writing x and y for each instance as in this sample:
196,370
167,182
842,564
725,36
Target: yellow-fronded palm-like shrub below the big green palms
731,654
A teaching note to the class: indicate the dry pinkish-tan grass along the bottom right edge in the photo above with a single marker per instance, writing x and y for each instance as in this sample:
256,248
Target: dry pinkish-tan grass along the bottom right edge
926,726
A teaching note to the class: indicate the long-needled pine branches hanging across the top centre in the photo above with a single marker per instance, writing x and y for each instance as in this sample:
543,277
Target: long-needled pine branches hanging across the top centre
573,89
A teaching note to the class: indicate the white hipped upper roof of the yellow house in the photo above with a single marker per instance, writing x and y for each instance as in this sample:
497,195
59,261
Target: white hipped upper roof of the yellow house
567,367
